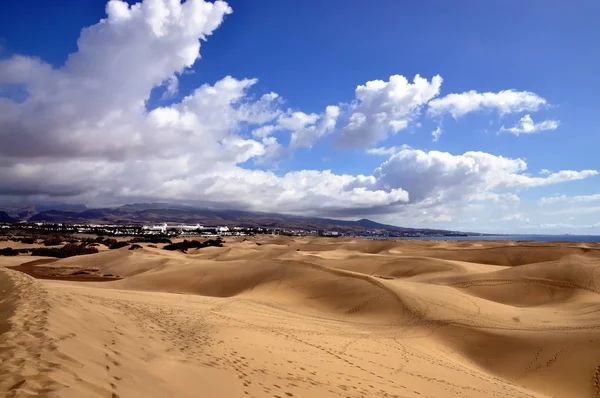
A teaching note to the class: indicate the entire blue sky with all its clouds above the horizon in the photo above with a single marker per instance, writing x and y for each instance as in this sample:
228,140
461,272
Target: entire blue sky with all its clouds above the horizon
514,104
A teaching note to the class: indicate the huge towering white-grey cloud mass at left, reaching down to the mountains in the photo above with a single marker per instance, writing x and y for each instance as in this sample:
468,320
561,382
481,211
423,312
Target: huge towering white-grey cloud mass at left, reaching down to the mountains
84,131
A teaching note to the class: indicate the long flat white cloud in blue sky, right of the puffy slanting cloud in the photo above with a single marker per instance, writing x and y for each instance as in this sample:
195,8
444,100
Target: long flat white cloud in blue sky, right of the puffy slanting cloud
504,102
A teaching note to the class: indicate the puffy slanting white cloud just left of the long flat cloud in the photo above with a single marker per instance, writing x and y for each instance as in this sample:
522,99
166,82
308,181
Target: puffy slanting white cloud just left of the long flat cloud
382,108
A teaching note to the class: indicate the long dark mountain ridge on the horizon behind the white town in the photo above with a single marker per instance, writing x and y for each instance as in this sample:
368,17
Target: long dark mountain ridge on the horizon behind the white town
141,213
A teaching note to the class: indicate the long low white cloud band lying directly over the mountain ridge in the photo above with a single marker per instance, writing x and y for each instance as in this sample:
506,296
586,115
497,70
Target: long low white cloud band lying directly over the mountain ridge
303,192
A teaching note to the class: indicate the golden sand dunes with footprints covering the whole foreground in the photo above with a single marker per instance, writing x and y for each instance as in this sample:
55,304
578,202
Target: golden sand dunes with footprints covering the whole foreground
279,317
